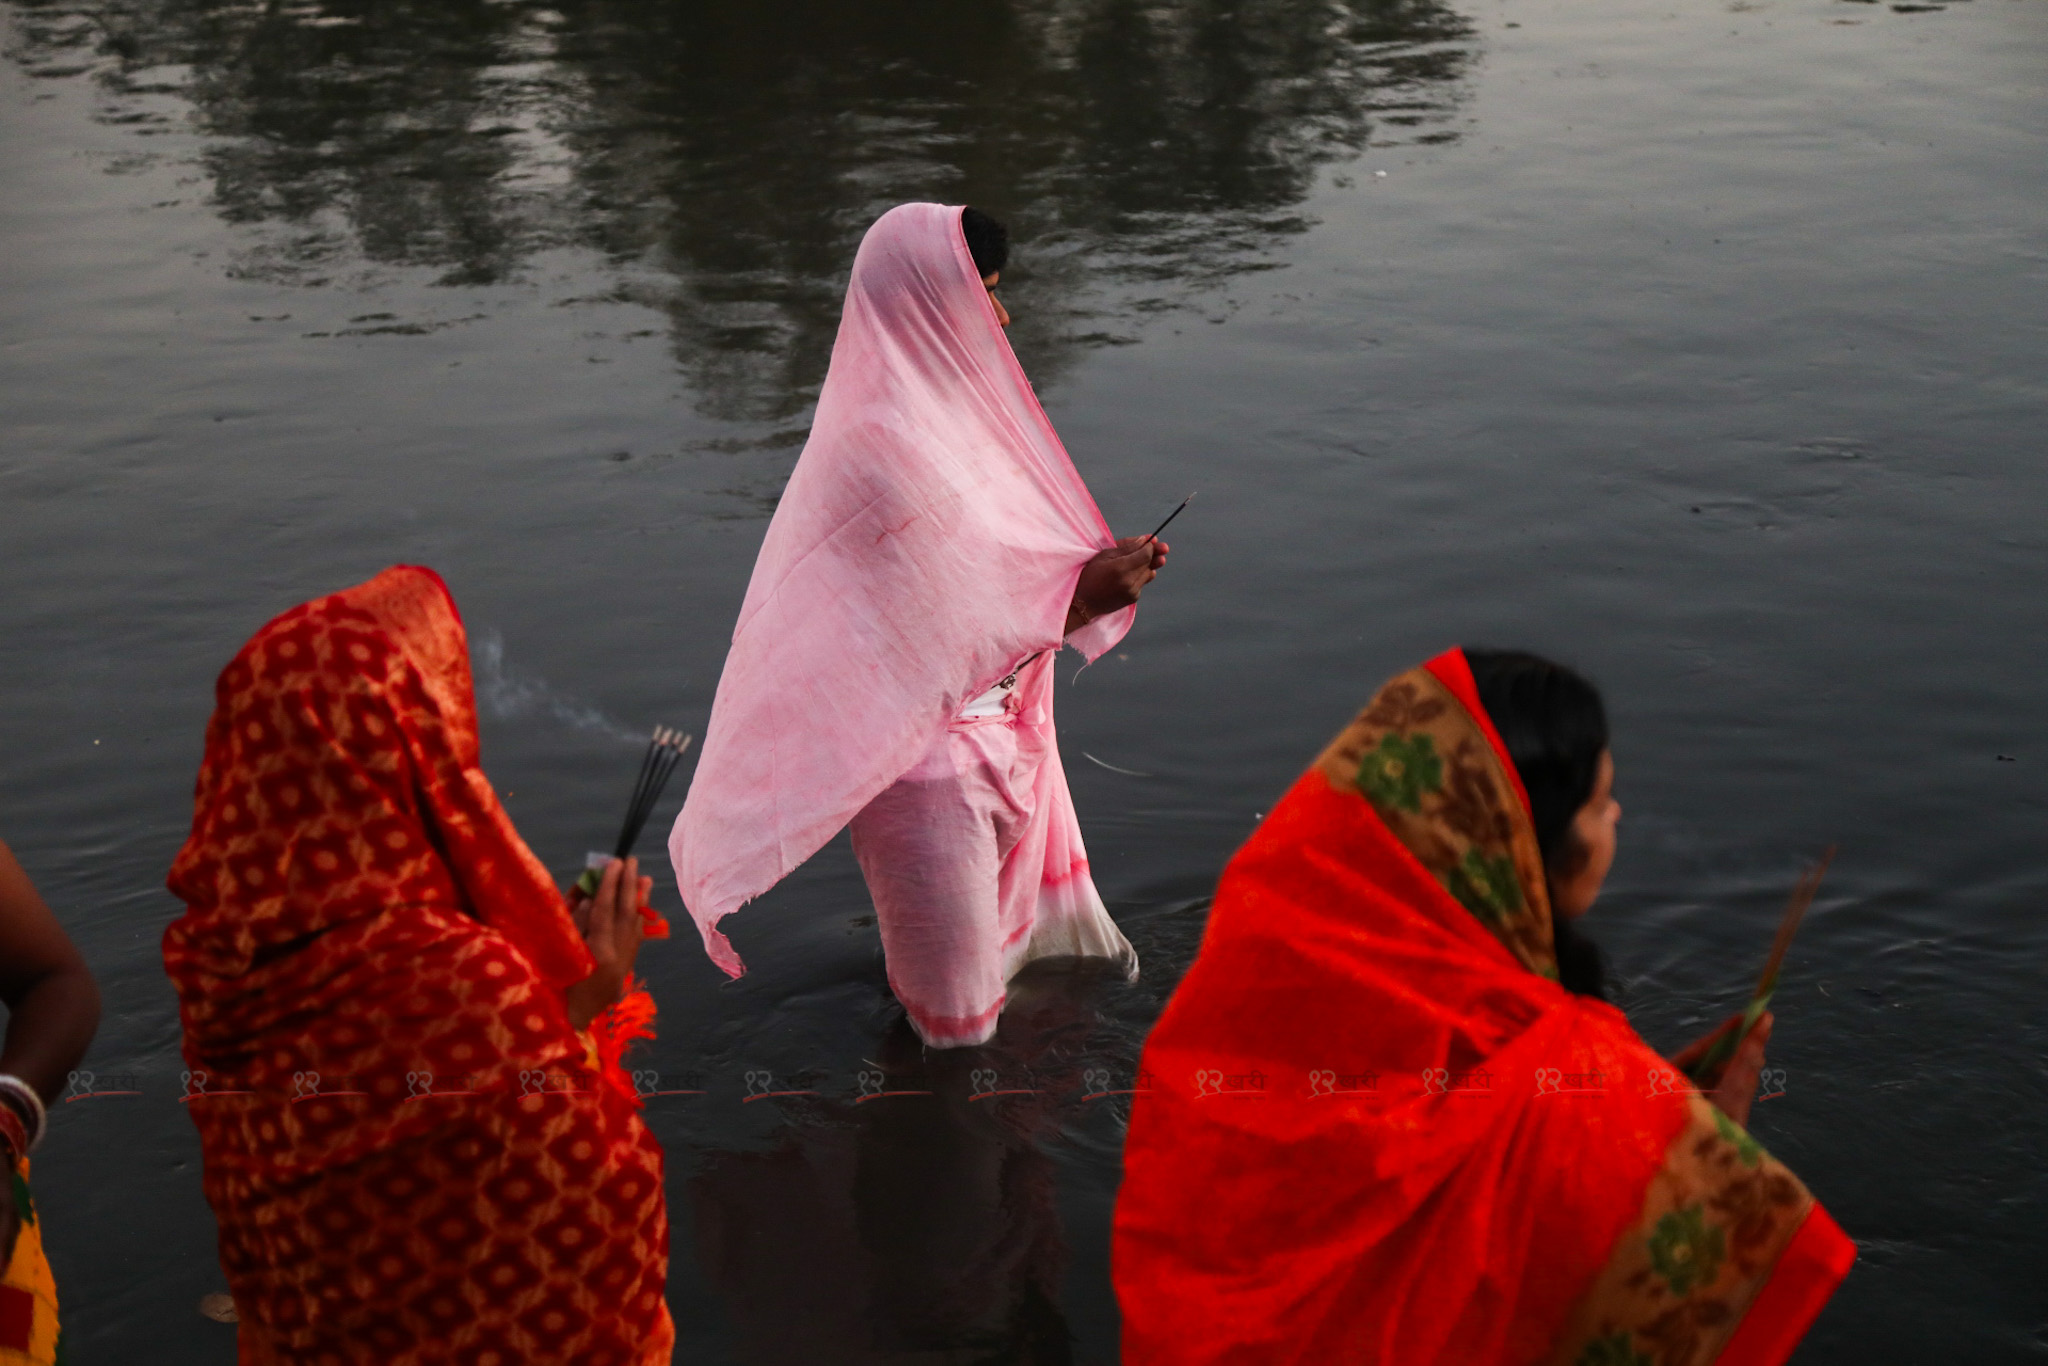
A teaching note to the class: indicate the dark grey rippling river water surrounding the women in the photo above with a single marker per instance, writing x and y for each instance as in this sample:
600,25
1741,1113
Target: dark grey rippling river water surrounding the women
1703,345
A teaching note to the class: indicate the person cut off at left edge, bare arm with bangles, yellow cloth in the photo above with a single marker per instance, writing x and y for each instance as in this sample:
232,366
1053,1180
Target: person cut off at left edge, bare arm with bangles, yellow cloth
52,1013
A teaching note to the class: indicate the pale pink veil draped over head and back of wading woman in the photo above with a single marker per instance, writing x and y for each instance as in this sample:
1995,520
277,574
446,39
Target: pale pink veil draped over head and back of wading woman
931,538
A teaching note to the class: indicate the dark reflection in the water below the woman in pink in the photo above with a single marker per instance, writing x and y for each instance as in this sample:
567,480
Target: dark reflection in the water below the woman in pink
919,1224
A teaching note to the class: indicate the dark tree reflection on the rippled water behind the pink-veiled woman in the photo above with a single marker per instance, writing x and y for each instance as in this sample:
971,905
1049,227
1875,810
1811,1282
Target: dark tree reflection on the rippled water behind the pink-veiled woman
726,159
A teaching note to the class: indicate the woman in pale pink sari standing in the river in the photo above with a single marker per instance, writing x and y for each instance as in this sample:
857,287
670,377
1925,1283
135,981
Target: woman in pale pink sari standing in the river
894,658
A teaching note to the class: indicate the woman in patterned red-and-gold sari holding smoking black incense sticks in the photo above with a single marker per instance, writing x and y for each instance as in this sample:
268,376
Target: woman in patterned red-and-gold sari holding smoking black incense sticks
404,1054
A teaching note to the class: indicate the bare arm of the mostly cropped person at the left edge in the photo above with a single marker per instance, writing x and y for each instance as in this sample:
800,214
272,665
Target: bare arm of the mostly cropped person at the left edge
52,1002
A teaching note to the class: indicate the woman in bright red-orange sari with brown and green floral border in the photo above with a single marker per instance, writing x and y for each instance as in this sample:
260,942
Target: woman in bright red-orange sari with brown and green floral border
1392,1121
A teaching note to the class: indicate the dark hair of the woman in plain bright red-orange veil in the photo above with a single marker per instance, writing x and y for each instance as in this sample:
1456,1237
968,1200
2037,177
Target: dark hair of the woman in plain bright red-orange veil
1555,730
